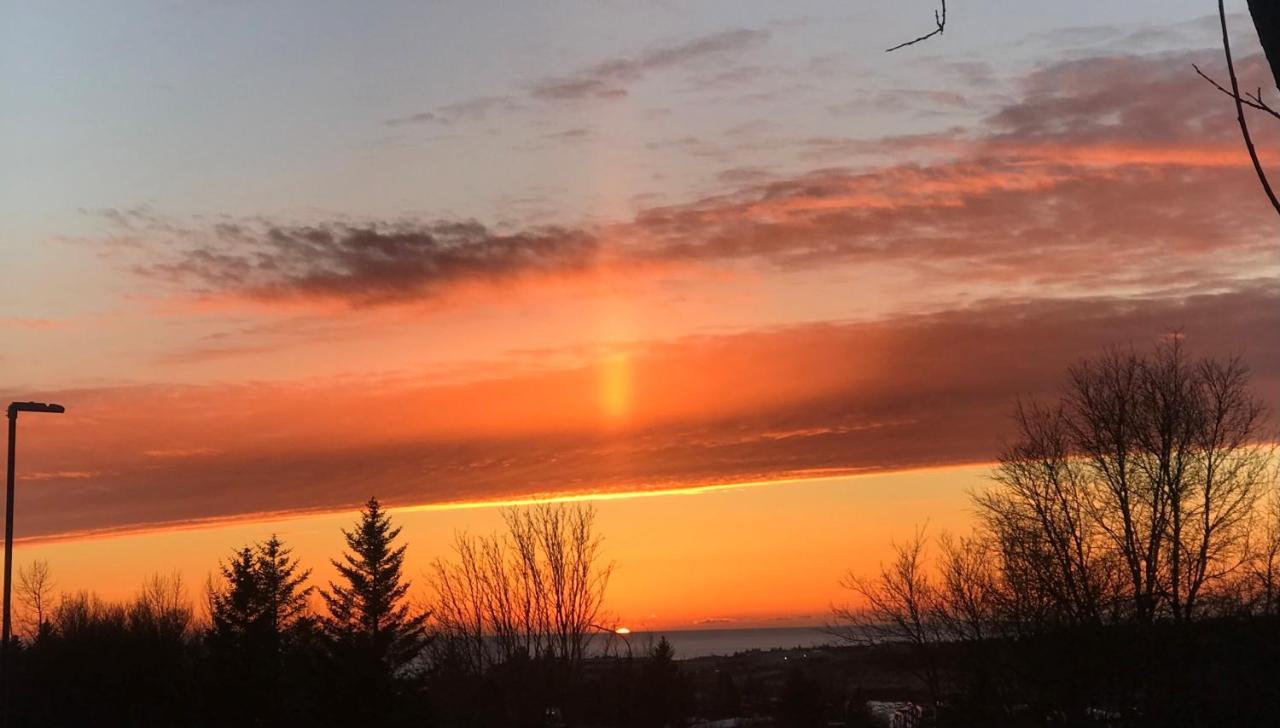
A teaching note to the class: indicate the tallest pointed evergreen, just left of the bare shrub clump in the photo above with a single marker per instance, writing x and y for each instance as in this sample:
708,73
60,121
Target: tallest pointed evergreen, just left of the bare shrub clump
371,626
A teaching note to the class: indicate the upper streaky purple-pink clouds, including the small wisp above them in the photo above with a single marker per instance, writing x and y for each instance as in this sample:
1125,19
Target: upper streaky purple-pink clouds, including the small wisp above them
1119,173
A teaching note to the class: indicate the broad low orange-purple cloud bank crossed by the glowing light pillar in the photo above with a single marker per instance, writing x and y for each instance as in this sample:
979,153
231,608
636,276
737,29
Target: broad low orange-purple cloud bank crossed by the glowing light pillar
902,392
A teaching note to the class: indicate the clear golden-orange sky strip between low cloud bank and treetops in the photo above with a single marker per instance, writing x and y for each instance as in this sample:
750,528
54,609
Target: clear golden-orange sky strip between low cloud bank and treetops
748,556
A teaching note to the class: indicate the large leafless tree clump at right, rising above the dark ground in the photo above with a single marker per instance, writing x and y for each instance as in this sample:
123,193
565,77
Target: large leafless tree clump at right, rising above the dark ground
1135,498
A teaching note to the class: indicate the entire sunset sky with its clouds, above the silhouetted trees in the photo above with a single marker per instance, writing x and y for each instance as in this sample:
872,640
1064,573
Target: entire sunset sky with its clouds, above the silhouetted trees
766,289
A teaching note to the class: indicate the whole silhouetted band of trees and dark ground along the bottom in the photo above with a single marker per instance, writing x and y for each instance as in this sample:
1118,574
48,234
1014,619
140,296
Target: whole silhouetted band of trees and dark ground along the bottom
1124,573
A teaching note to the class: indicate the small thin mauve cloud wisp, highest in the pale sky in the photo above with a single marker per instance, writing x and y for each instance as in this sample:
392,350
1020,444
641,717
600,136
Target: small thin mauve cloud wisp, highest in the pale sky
610,79
